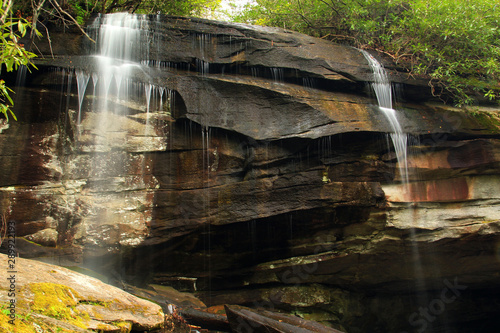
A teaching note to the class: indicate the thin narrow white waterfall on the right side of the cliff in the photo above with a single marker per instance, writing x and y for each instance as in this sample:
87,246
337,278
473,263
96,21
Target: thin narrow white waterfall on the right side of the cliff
383,91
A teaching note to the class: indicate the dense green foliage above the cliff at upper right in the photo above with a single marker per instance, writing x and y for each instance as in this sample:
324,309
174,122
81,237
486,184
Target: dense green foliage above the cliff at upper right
456,43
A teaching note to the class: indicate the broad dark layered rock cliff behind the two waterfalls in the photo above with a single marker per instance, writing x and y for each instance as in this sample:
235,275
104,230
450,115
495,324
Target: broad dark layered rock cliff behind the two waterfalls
251,165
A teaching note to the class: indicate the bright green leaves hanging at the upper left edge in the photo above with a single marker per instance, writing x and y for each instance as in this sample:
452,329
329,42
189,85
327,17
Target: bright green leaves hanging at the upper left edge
12,52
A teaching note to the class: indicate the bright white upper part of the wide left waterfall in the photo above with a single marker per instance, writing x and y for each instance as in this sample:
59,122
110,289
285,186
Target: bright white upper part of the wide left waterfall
120,56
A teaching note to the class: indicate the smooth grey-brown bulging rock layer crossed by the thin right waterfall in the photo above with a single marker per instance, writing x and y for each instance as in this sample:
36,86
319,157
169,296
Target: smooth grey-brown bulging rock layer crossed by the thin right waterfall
292,111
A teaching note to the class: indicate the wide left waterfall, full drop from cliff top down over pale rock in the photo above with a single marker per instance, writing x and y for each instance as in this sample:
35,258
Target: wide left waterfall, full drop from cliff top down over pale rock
116,130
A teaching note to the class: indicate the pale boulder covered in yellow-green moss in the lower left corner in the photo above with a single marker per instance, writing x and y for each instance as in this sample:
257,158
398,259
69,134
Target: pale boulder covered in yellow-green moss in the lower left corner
37,296
